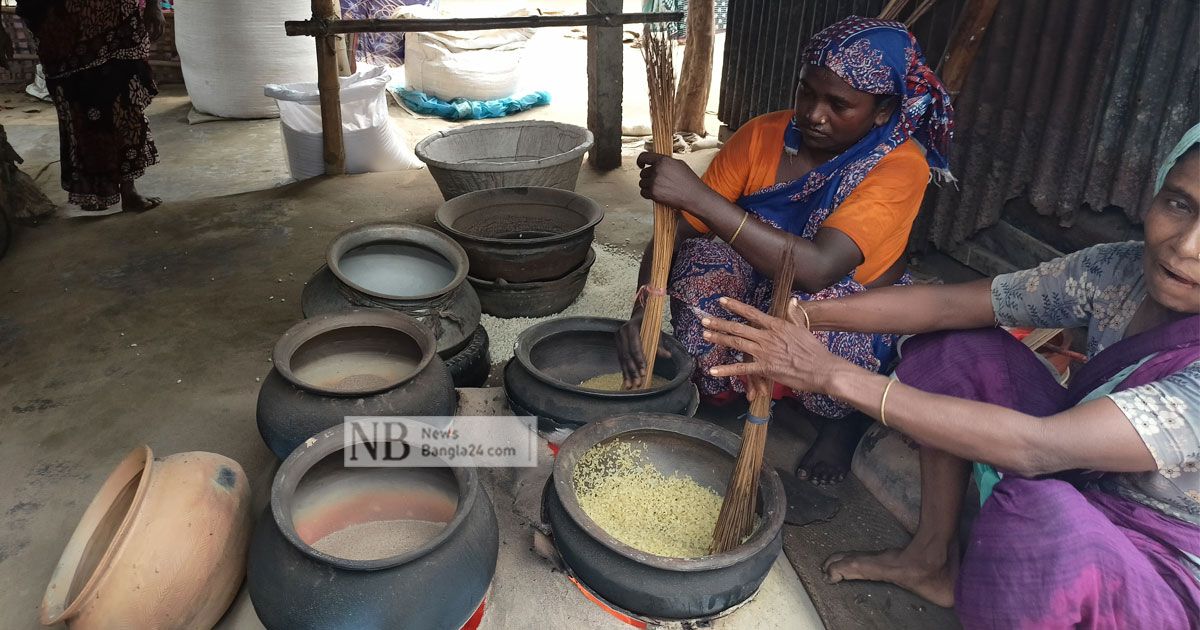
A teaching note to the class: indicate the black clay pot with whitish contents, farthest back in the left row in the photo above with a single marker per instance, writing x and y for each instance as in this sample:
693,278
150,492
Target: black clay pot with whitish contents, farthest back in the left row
400,267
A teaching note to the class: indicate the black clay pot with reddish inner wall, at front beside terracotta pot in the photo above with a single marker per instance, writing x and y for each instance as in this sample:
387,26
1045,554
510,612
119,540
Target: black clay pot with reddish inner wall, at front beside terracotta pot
439,585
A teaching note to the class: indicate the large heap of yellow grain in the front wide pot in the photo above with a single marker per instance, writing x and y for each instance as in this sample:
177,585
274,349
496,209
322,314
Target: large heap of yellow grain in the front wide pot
671,517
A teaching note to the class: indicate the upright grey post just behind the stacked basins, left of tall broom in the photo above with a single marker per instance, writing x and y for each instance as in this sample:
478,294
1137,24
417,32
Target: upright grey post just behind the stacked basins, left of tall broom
605,88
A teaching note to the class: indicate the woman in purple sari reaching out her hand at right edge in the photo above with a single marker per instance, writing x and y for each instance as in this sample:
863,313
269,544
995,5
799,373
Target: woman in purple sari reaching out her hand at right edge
1096,521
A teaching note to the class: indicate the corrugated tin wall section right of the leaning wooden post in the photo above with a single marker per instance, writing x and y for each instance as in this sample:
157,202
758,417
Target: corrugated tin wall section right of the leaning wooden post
1071,104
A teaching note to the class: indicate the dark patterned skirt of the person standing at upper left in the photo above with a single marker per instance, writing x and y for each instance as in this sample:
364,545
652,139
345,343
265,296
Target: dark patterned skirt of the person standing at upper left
104,134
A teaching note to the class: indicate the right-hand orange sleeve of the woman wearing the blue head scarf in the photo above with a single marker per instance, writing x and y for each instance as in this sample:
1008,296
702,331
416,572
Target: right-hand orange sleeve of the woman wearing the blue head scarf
879,215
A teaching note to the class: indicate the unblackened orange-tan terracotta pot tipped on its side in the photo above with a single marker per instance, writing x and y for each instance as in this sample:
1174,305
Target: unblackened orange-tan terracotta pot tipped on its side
163,545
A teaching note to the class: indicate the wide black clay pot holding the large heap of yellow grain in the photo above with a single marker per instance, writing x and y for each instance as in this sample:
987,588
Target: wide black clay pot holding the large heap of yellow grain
656,586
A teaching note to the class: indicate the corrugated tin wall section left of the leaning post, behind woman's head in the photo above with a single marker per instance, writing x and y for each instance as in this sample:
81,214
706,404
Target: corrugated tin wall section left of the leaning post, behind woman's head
765,39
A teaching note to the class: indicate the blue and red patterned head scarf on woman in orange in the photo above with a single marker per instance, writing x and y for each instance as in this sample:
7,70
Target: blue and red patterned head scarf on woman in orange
883,58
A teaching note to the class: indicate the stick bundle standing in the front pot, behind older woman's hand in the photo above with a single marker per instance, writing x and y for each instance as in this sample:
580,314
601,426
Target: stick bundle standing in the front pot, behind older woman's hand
736,519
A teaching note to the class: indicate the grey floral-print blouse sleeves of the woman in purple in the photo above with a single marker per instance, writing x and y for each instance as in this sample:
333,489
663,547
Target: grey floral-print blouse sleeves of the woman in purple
1102,289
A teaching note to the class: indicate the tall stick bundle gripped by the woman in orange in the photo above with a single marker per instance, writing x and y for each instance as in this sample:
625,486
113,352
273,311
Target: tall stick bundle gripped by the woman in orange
658,51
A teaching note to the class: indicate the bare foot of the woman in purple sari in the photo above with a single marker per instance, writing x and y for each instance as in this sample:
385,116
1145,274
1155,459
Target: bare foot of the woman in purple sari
927,577
